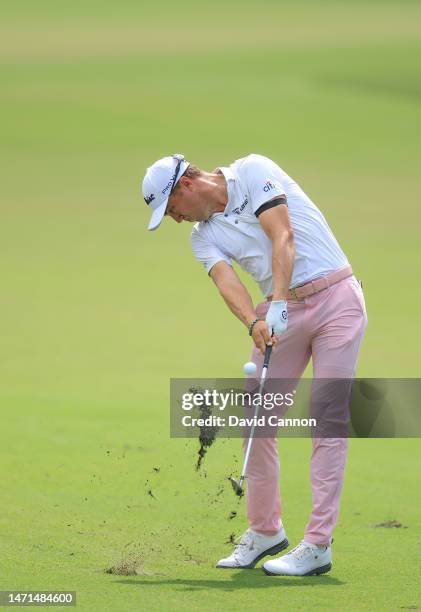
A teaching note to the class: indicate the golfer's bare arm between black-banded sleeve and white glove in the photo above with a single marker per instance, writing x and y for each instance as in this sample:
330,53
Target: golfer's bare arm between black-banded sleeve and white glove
277,225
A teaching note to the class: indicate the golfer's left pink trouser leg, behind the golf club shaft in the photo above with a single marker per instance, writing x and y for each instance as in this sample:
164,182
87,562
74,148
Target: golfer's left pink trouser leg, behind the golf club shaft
289,359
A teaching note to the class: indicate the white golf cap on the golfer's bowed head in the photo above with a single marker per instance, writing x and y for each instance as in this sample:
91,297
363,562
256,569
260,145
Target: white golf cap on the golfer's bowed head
159,181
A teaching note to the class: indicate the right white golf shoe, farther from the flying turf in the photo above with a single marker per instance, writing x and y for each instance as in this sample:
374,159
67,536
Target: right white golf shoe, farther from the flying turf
304,560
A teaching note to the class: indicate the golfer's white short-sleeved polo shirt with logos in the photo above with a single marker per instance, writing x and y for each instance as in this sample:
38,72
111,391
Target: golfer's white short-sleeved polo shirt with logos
237,235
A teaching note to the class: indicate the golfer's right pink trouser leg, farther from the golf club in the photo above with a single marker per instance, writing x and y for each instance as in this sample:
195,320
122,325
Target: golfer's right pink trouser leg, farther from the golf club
338,323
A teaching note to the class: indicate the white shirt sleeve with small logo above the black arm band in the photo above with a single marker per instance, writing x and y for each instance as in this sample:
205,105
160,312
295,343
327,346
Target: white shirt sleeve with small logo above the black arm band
264,180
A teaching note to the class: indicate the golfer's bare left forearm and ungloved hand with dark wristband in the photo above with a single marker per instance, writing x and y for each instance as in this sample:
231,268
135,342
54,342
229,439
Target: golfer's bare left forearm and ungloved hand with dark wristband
239,301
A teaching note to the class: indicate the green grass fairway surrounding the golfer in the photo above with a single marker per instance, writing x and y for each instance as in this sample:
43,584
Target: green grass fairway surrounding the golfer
97,314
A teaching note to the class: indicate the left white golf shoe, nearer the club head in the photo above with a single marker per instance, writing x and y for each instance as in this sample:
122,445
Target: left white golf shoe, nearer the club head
252,547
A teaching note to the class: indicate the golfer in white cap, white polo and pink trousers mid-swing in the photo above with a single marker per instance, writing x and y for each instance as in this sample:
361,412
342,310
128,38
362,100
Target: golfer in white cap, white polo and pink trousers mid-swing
253,213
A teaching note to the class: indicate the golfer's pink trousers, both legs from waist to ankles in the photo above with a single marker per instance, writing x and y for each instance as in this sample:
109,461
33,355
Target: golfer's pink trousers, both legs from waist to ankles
328,327
